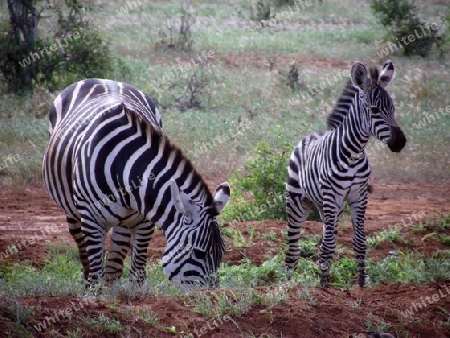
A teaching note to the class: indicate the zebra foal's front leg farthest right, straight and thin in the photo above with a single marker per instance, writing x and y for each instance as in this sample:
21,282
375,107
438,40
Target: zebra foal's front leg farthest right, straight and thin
358,204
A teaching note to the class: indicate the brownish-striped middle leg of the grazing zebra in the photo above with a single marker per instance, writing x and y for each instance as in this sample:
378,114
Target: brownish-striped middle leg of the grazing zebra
120,242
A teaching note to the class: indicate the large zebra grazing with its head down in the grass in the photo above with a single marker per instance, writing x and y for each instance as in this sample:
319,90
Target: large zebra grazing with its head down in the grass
108,164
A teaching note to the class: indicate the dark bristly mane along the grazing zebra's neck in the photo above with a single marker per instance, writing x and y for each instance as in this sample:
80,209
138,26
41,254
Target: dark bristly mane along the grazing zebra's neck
155,133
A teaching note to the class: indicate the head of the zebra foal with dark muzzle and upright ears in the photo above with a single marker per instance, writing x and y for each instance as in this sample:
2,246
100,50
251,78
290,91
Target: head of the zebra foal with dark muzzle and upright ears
382,110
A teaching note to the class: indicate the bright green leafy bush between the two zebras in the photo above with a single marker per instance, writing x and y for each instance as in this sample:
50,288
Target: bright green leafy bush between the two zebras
259,194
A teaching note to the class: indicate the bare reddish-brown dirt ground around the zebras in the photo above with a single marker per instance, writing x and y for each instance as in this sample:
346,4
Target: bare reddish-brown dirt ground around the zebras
30,220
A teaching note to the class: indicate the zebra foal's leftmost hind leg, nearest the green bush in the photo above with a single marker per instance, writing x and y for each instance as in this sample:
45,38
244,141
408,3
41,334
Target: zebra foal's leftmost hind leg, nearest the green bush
297,209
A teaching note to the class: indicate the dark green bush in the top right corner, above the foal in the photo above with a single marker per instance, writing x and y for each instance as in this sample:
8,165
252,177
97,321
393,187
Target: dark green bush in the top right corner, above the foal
402,19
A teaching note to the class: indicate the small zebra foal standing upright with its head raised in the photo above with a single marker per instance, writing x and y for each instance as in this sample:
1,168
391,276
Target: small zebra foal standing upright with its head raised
327,169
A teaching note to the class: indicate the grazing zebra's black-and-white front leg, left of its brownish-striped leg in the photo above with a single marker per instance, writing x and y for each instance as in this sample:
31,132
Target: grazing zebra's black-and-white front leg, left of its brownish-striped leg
95,236
